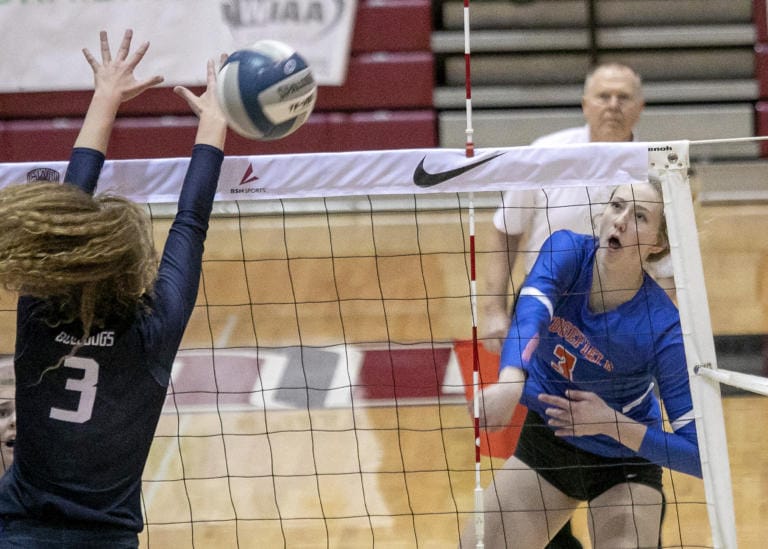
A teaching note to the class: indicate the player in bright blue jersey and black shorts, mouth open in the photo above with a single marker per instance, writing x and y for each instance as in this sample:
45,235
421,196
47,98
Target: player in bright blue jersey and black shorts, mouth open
591,338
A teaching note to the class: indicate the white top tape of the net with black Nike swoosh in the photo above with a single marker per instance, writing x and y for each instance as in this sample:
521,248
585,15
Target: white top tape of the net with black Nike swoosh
392,172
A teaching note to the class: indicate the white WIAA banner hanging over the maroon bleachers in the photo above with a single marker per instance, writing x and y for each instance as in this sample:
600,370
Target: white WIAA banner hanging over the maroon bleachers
42,41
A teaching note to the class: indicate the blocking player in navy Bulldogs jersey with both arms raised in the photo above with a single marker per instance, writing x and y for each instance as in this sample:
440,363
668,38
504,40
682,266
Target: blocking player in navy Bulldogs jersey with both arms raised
98,324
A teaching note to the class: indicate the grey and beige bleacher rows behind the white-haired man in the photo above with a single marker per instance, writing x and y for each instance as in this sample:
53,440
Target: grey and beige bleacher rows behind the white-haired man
528,62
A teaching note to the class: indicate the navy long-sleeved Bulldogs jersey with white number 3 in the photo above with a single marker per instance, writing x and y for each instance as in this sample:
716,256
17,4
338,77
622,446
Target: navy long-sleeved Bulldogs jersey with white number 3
85,428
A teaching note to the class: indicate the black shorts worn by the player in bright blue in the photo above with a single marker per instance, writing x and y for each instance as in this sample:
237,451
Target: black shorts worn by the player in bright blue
575,472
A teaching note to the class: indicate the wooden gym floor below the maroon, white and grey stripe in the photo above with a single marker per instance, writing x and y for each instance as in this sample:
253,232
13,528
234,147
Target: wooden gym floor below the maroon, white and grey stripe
384,507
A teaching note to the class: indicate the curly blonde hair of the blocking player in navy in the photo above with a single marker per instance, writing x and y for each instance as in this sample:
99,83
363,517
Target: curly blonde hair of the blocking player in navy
90,257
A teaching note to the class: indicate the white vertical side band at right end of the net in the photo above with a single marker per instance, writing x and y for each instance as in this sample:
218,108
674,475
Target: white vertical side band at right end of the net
671,160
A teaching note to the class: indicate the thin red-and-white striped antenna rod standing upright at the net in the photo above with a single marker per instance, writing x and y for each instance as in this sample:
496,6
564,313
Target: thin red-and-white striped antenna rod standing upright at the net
469,150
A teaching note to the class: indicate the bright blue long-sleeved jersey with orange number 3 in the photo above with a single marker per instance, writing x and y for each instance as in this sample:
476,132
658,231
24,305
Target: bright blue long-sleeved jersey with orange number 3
618,354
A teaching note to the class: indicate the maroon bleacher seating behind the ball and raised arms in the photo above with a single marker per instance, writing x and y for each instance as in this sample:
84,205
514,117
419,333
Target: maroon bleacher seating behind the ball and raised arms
385,103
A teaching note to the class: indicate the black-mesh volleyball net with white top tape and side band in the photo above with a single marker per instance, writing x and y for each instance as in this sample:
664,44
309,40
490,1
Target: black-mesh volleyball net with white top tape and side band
320,395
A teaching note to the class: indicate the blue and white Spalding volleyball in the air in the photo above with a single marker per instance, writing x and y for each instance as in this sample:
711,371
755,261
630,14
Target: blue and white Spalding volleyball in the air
267,90
